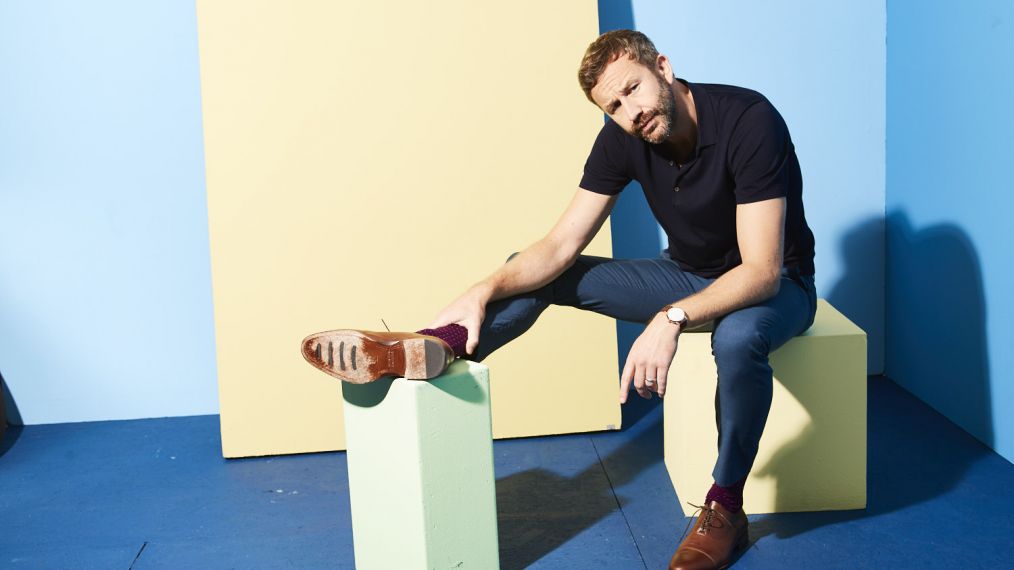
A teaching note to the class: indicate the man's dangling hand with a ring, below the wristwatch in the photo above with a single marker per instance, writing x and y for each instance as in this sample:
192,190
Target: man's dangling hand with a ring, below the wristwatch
650,359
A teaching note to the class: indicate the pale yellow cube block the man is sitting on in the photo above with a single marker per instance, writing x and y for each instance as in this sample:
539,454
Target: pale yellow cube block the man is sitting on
813,454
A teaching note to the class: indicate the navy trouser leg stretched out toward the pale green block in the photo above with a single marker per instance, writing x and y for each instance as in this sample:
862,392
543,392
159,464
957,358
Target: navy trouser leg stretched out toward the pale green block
624,290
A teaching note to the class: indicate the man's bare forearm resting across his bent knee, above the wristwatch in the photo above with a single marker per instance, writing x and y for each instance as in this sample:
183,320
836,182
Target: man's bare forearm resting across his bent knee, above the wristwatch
740,288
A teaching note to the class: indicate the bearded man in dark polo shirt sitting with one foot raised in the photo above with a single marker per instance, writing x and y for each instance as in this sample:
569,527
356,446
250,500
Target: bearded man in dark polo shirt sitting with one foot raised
720,174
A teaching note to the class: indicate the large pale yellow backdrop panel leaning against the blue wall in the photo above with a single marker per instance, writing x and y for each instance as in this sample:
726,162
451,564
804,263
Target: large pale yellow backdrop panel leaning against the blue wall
371,161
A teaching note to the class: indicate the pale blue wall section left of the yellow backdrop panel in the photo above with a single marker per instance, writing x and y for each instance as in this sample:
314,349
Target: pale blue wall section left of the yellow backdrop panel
105,270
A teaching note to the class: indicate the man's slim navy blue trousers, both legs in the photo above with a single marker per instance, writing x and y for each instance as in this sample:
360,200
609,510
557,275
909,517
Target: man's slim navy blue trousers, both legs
635,291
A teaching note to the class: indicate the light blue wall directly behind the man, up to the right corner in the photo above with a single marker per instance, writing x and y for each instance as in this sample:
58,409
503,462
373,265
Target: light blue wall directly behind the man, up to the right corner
824,67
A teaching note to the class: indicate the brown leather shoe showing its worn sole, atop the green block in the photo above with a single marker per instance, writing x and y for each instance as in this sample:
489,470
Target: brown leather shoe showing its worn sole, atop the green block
364,357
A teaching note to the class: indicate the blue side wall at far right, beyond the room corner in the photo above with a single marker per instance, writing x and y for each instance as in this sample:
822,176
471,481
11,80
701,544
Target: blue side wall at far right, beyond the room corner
951,89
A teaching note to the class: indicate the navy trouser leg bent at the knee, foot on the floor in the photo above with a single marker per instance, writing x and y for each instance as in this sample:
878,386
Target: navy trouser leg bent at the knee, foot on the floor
742,342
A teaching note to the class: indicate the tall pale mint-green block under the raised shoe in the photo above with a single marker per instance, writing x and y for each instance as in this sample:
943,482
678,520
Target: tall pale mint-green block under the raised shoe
421,480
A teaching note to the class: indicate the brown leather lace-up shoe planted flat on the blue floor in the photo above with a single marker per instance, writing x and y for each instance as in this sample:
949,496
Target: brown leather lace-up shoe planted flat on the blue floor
717,539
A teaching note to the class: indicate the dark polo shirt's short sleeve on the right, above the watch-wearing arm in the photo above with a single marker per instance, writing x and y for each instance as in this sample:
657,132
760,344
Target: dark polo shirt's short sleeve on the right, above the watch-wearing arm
760,155
